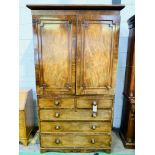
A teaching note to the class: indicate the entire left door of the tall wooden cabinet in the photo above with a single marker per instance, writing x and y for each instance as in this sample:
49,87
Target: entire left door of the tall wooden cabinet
54,46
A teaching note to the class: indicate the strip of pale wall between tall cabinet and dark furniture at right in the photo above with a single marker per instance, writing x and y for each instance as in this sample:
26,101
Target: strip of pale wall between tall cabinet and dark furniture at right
126,13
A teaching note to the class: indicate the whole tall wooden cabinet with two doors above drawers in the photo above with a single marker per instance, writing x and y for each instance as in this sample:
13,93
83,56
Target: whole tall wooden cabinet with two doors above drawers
76,52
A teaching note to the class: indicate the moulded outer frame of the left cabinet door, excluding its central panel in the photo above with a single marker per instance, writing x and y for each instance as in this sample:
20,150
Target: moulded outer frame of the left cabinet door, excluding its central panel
38,24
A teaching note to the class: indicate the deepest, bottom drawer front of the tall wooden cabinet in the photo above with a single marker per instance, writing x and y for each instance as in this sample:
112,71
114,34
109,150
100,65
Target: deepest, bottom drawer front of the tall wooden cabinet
73,140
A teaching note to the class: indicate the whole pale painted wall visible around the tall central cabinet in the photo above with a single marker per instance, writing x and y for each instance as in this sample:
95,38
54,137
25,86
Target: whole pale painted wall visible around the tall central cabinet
26,62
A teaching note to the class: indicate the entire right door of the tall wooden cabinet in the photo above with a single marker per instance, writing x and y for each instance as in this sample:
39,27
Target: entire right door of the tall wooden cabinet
97,52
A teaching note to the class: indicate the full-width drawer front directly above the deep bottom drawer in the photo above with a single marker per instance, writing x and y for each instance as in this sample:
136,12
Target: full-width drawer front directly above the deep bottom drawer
75,126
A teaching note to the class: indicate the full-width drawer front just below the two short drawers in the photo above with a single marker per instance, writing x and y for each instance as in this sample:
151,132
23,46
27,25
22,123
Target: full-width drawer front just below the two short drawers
80,114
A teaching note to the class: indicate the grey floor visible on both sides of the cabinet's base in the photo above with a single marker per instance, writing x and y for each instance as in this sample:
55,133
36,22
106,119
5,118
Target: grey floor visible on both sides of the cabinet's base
117,146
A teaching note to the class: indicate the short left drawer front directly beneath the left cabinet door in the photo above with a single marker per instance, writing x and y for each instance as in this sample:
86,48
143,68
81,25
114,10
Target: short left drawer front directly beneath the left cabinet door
56,103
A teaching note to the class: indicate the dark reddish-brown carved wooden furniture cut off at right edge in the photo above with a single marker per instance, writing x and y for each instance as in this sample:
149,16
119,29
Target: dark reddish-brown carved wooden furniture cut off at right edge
127,130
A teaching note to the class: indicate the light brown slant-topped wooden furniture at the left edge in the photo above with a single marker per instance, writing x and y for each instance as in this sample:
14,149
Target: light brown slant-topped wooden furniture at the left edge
26,115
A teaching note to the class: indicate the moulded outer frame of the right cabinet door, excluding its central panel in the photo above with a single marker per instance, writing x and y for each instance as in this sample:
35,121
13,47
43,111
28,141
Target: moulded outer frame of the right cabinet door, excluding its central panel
83,21
